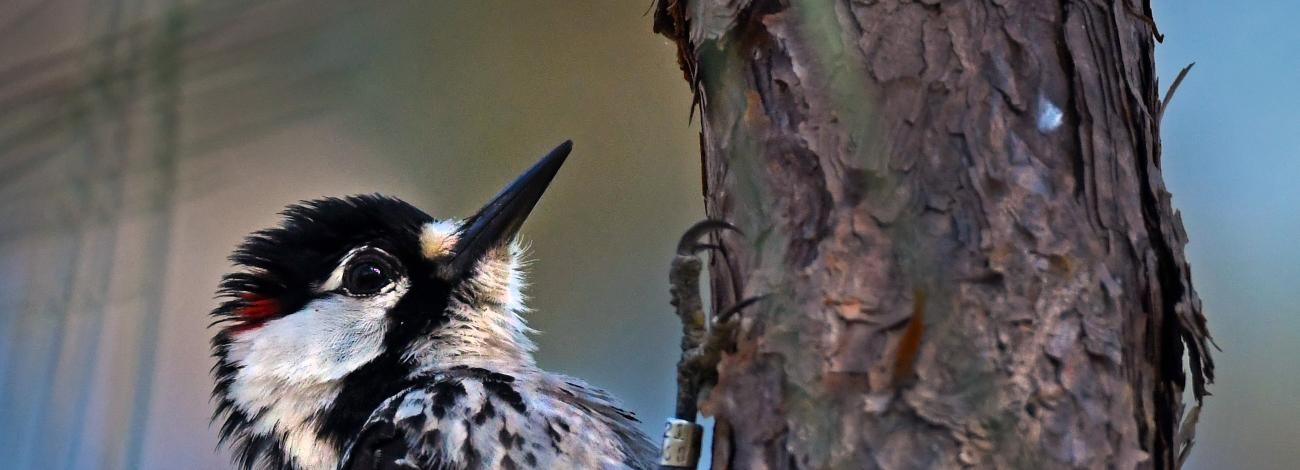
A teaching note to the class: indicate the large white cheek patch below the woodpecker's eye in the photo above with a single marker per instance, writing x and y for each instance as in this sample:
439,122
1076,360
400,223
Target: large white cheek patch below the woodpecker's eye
326,341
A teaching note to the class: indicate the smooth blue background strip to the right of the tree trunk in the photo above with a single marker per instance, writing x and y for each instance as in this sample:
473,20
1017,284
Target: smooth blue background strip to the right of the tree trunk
1233,162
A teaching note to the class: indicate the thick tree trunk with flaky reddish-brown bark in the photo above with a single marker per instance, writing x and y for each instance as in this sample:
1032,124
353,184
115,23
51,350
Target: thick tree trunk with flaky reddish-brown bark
959,214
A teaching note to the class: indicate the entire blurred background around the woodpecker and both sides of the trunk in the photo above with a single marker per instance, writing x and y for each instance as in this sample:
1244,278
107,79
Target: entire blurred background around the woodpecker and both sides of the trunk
140,141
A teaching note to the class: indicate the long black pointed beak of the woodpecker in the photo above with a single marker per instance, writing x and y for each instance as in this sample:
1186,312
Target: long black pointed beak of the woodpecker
497,223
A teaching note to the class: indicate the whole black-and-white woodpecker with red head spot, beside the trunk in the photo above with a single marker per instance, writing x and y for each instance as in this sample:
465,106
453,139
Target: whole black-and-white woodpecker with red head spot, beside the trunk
365,334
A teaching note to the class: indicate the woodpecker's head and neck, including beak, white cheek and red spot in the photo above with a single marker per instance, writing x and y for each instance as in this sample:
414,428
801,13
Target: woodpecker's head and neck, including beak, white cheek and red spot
335,310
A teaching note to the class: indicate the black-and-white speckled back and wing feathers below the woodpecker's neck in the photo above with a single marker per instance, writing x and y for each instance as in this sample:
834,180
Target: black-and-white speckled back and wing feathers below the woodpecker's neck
474,419
